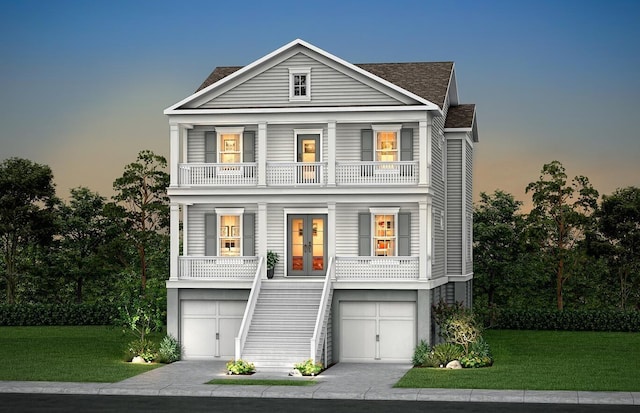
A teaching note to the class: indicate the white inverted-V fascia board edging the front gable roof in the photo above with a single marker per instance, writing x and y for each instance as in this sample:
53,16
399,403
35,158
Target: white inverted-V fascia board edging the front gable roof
240,72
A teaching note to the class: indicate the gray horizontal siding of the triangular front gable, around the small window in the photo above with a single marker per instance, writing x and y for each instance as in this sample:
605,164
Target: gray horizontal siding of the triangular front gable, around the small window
328,87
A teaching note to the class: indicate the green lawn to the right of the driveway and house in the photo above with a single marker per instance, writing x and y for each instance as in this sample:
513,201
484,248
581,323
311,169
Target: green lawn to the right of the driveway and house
545,360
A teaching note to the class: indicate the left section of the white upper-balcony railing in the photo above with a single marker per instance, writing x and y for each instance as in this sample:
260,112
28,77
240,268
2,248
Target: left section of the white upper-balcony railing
218,174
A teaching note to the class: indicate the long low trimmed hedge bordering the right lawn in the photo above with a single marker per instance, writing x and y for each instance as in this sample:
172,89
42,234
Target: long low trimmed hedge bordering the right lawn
570,320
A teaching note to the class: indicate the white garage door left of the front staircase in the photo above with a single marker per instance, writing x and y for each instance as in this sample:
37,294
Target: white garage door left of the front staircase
209,328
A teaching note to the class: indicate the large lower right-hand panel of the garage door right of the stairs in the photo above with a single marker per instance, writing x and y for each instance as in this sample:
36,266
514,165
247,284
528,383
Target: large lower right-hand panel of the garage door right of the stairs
397,339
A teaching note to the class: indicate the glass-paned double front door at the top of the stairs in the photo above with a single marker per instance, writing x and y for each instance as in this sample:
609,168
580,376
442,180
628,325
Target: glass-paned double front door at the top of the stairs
307,245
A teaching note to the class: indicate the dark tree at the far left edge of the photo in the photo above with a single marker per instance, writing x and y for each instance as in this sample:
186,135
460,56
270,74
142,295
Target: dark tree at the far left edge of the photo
27,200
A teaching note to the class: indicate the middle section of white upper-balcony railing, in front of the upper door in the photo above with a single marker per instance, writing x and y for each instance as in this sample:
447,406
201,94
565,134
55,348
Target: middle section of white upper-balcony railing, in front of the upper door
296,173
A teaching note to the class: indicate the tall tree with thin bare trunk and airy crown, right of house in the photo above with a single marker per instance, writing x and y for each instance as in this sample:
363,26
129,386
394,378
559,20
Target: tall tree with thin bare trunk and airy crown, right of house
562,212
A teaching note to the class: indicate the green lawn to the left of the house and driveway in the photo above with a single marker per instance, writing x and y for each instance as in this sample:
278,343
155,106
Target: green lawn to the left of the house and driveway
79,354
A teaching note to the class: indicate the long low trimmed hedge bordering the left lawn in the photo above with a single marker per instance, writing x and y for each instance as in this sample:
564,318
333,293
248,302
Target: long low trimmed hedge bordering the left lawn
67,314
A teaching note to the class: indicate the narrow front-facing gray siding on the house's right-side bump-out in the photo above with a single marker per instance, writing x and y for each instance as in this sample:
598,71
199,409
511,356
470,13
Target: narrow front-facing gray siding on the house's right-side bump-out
454,206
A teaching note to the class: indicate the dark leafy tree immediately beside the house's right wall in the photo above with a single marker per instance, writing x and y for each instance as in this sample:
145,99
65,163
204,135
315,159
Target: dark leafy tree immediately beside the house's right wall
498,227
